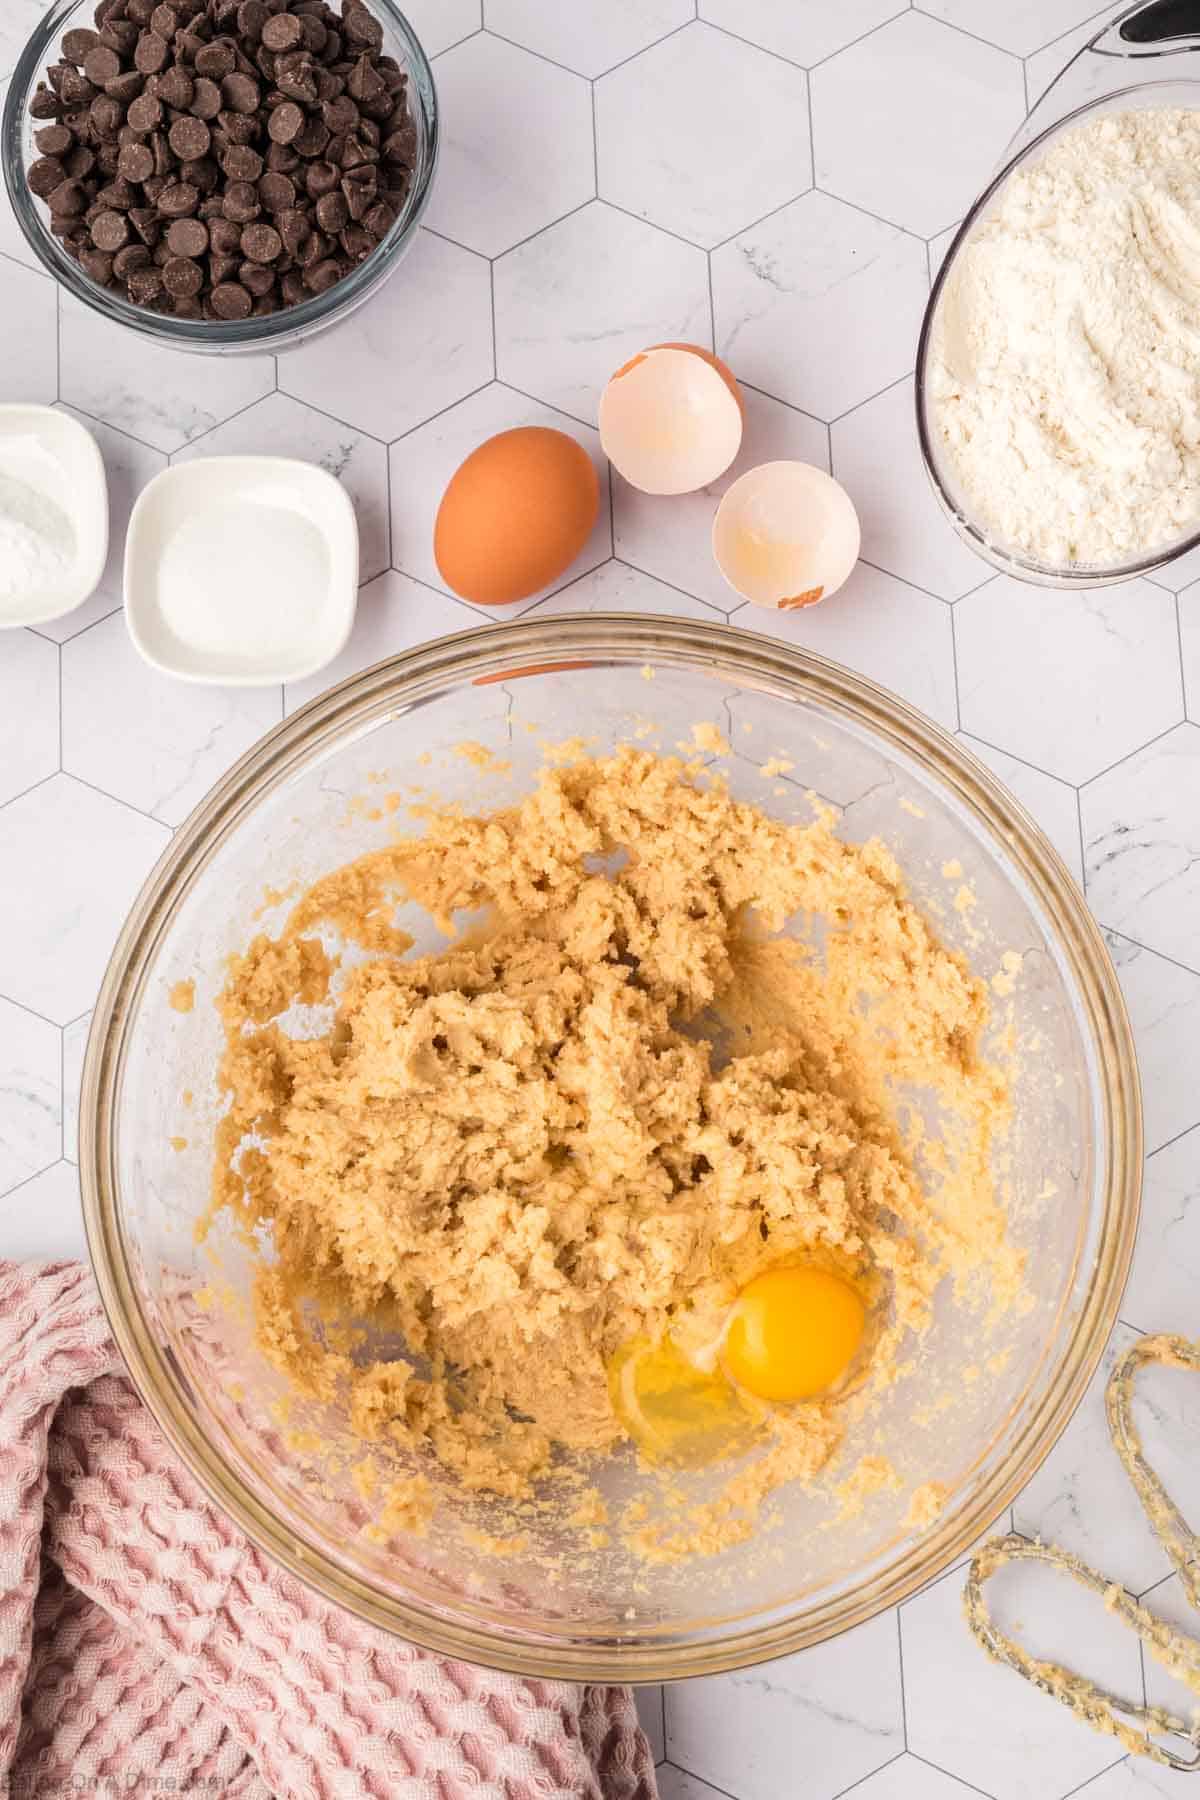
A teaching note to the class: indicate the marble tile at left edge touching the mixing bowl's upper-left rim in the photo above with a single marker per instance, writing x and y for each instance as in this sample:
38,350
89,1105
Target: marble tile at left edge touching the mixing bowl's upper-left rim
84,859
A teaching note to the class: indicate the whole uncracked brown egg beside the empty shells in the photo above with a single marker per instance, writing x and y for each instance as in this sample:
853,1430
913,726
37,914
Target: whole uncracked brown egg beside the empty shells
515,516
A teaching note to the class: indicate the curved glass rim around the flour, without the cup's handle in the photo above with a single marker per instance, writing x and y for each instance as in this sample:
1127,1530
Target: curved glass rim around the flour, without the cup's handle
972,534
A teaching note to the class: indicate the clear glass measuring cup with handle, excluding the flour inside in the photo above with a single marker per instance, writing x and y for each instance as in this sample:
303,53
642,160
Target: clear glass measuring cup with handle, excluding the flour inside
1143,58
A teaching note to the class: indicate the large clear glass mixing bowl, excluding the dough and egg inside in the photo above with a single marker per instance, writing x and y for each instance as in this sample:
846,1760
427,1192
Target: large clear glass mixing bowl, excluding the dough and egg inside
300,805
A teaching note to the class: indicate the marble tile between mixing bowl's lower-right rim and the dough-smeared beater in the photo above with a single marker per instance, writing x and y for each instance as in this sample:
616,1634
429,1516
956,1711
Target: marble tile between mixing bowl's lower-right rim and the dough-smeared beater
1082,1498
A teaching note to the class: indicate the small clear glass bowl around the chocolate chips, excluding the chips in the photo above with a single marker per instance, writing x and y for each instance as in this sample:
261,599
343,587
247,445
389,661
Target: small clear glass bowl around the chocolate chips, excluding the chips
278,330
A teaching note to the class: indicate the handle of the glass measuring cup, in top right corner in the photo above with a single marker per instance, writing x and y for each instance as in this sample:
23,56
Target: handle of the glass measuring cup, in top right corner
1109,62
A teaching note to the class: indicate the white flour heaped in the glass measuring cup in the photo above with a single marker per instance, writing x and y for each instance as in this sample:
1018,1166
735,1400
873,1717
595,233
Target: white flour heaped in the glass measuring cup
1066,354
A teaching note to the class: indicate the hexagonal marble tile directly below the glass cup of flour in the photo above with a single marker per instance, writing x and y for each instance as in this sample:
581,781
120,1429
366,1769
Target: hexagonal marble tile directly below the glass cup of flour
1070,683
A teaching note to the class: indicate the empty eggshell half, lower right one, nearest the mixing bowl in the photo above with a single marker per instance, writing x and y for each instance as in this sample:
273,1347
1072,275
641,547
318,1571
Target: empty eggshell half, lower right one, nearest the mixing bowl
785,535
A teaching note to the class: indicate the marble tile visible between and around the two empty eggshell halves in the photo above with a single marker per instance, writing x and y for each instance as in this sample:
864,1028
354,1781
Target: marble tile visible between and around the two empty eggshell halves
674,539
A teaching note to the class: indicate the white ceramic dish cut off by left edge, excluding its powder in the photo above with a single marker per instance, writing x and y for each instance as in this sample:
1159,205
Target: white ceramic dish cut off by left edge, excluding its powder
60,460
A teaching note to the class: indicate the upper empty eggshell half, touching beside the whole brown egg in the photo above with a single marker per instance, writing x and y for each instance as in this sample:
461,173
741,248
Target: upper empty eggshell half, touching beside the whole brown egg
672,420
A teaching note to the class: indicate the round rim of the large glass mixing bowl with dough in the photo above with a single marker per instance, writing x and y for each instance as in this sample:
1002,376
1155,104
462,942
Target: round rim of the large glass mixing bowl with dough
505,652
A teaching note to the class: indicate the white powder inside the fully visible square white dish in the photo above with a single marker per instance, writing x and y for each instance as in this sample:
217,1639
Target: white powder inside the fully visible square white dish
247,579
